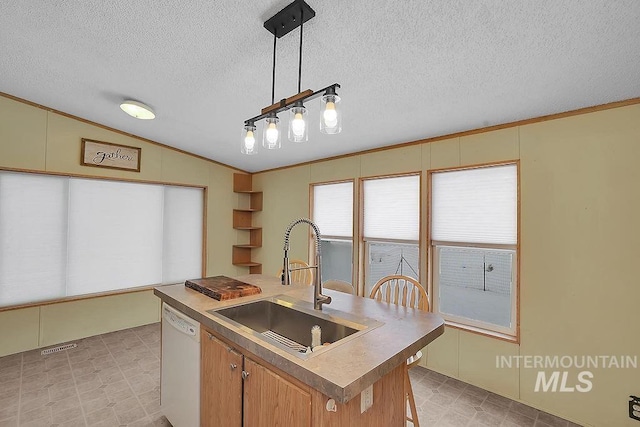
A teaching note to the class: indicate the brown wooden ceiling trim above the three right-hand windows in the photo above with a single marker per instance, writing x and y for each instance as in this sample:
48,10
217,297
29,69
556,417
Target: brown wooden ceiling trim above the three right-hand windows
579,111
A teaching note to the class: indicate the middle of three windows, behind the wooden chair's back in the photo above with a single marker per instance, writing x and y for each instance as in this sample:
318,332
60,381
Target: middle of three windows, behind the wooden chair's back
391,216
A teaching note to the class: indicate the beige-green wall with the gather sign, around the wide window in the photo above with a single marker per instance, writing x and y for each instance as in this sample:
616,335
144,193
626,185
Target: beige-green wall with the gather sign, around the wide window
34,139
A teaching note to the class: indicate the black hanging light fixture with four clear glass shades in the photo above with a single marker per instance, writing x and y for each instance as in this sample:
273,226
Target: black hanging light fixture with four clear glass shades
280,24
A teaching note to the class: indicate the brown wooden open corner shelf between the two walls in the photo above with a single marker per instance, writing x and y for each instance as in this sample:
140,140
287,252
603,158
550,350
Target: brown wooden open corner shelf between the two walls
243,220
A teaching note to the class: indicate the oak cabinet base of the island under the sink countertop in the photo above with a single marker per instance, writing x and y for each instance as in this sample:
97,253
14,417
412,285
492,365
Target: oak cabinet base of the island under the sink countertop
238,389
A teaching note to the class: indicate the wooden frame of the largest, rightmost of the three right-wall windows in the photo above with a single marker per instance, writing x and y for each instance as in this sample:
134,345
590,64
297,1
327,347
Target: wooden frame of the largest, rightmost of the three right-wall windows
471,325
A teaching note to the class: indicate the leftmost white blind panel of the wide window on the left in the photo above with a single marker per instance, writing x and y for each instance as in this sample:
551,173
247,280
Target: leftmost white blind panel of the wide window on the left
33,237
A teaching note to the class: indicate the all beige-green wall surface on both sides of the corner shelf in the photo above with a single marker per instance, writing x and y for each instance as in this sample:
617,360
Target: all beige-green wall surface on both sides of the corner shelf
579,205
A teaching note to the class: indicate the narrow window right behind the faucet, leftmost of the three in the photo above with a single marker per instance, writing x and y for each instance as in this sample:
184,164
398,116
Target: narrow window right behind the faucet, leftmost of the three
333,213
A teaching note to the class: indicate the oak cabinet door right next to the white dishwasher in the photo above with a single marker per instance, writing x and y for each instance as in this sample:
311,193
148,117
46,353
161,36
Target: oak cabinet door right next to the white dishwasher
221,383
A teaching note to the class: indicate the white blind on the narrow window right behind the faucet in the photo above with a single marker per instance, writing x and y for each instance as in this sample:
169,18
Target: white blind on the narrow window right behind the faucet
333,209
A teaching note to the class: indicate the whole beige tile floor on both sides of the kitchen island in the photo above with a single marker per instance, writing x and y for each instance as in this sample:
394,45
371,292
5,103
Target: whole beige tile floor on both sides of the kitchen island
113,380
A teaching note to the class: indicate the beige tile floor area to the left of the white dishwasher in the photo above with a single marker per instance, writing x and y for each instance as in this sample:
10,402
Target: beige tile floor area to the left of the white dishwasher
108,380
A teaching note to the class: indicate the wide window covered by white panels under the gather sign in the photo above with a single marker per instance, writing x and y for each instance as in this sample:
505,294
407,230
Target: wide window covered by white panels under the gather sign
62,236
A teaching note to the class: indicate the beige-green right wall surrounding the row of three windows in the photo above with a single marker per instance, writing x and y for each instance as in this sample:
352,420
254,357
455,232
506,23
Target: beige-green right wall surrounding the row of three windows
579,241
